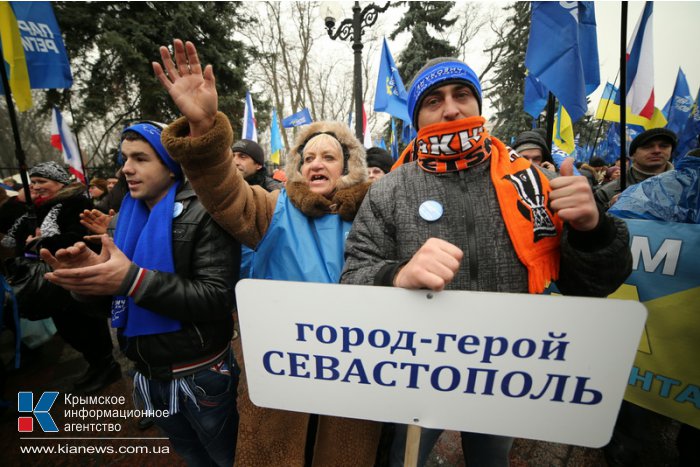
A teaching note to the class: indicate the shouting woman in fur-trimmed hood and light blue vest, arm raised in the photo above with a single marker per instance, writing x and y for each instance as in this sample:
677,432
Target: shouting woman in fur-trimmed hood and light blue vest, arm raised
326,184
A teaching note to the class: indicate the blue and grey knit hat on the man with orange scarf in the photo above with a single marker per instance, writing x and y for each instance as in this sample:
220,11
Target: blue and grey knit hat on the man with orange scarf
436,73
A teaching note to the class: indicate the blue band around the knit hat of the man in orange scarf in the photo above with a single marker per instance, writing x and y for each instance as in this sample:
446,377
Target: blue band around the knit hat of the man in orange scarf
444,71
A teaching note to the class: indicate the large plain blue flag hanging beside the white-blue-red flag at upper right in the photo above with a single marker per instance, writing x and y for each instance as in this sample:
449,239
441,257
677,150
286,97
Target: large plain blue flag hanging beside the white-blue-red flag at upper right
561,38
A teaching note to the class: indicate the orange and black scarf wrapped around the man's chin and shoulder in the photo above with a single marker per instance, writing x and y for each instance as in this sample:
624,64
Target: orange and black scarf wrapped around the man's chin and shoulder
521,189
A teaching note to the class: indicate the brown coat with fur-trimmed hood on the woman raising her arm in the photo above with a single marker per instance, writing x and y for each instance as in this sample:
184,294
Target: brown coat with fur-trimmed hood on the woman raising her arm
270,437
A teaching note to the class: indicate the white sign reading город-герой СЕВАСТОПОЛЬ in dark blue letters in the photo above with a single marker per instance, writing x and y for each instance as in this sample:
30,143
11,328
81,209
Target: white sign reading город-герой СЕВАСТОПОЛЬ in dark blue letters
529,366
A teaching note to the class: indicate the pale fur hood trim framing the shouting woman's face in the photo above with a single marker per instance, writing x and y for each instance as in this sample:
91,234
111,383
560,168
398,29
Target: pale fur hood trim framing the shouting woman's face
355,170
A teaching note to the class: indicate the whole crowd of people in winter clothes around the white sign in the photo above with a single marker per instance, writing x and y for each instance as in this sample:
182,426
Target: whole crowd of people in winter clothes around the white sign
157,251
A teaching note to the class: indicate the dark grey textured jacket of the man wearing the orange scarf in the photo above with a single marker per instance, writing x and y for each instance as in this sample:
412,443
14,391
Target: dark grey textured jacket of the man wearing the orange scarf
388,230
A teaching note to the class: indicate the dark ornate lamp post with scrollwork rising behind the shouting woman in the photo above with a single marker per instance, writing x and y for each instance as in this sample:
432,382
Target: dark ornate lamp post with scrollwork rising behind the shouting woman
352,30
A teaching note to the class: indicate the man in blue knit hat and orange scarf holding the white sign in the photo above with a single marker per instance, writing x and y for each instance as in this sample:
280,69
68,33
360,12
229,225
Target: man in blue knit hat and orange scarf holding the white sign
462,211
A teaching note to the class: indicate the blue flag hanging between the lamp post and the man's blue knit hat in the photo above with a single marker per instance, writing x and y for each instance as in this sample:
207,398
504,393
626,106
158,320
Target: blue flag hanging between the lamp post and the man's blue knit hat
390,96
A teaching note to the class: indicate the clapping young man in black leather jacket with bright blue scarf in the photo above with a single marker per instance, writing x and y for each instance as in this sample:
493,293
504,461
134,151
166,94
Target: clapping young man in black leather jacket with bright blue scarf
170,271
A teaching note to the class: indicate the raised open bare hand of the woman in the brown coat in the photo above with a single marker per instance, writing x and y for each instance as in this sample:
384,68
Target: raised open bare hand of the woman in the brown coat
193,91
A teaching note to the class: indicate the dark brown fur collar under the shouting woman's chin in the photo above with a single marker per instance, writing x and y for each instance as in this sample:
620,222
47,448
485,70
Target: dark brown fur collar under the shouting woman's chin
345,202
